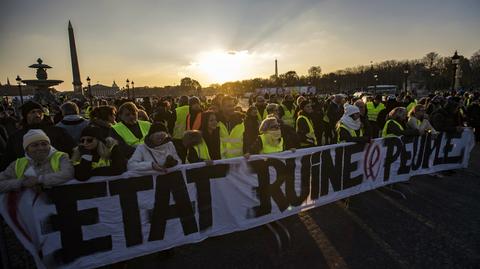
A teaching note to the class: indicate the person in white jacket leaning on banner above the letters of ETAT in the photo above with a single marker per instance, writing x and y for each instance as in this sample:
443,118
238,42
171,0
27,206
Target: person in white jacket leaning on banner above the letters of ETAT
158,152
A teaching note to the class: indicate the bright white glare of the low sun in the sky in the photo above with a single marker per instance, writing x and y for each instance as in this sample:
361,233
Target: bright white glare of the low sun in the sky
222,66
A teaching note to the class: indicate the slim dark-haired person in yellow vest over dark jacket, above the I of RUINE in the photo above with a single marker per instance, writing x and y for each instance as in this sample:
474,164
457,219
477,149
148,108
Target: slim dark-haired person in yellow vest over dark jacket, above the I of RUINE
304,125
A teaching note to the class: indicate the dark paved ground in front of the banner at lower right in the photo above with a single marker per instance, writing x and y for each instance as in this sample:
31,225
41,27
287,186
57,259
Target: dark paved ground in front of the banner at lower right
437,226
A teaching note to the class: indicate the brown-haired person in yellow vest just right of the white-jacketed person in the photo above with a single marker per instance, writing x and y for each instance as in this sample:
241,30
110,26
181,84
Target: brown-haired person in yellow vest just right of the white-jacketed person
197,149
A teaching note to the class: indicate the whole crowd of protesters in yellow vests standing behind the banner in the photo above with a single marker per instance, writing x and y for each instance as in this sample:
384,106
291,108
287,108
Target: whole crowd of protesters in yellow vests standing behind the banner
49,145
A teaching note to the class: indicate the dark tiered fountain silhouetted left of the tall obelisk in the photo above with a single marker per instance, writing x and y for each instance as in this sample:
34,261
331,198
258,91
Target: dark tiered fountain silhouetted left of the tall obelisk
42,85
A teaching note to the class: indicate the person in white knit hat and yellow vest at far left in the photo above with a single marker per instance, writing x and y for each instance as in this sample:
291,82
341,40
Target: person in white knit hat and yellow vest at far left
42,166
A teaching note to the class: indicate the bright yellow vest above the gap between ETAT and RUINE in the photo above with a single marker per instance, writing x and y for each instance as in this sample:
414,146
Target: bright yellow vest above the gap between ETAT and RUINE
231,144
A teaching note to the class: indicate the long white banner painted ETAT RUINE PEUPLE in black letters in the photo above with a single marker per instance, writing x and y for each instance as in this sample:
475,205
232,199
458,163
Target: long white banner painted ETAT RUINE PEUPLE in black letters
111,219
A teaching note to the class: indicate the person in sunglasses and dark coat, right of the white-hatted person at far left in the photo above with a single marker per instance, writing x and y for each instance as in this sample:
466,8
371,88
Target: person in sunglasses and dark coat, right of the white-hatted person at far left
97,155
